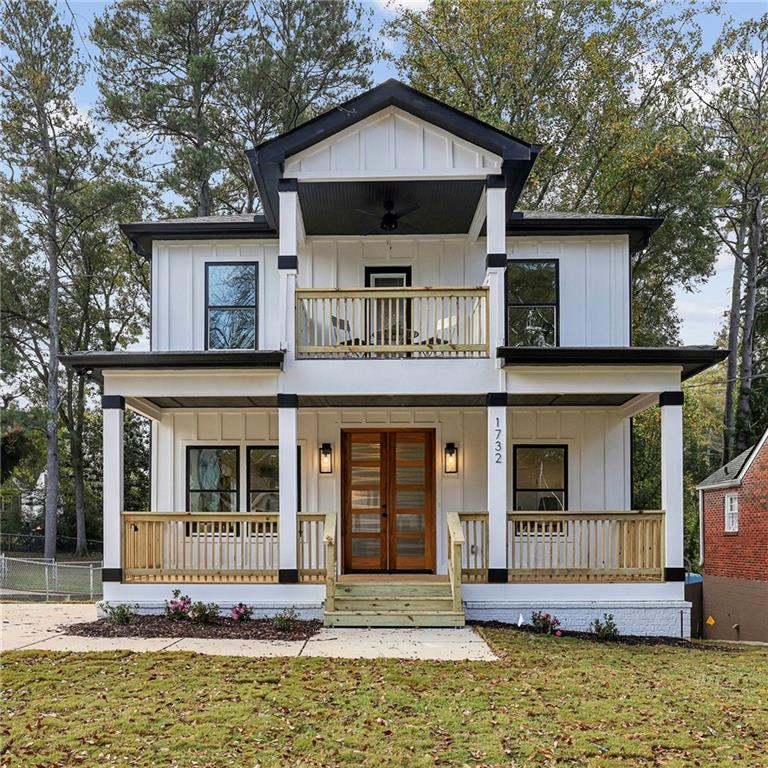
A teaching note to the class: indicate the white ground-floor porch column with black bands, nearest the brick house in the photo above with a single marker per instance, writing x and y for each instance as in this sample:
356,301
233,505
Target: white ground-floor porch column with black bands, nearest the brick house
672,482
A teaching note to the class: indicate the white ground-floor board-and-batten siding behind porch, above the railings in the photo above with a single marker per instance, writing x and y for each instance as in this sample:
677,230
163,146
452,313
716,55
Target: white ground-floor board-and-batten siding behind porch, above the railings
597,440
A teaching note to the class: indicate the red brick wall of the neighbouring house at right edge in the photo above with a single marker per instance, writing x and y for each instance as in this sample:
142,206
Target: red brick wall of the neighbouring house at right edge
742,555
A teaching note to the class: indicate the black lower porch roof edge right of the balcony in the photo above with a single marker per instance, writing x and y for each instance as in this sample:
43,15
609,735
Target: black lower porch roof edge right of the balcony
692,359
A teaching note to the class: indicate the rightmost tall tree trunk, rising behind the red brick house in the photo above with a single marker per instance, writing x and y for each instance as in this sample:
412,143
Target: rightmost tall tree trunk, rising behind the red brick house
744,417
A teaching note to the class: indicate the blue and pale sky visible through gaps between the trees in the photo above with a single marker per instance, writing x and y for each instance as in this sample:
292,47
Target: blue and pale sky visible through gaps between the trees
701,310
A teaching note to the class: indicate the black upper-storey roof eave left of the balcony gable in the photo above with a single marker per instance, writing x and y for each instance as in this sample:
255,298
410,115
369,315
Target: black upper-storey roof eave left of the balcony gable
143,233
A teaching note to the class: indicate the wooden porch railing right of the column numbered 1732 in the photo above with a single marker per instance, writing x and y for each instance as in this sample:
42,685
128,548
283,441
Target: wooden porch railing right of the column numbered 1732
585,546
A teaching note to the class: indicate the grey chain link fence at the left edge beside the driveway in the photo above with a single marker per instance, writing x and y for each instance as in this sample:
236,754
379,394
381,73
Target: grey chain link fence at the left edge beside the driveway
40,579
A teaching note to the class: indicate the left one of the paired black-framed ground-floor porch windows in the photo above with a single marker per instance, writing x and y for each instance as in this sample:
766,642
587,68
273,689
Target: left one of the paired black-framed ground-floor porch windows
213,478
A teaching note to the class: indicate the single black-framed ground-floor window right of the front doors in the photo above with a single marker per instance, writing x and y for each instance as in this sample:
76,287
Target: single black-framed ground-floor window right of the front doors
541,478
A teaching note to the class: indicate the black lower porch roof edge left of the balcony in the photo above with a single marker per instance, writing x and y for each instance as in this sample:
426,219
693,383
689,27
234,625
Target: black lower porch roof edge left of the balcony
96,362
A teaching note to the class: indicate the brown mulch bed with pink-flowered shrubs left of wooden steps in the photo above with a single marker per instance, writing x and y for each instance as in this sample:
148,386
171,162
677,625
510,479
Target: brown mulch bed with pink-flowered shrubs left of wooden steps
221,628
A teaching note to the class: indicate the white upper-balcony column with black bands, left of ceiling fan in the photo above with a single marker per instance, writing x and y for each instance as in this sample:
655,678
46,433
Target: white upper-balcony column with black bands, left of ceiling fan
288,260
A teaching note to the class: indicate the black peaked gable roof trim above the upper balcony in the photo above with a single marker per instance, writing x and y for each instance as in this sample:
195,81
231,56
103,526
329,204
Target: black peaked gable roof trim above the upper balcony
267,159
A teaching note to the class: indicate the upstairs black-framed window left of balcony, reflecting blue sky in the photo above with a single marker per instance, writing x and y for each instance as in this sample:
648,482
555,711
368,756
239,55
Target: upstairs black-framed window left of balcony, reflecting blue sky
231,291
